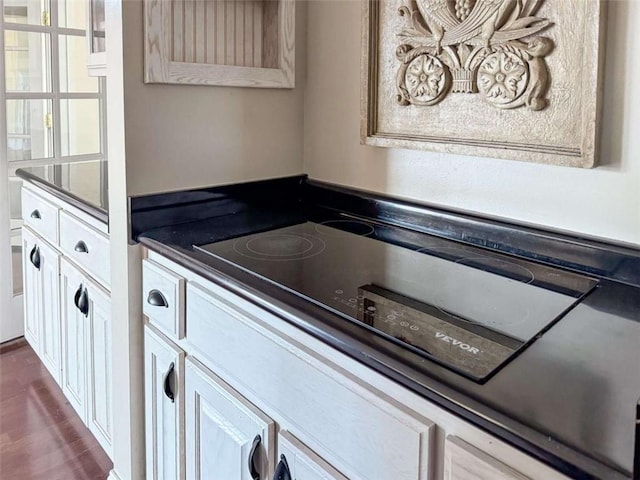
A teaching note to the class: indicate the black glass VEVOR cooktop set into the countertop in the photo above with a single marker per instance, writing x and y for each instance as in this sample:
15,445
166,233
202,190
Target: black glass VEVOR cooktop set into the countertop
470,310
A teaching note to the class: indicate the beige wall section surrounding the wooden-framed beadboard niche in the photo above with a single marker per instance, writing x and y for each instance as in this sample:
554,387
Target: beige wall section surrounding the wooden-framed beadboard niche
183,136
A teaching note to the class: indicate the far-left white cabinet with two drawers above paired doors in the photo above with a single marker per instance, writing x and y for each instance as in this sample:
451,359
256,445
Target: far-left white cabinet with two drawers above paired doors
67,310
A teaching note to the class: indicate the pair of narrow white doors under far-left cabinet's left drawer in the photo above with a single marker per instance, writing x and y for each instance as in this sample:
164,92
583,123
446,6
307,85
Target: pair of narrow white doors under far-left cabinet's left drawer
41,267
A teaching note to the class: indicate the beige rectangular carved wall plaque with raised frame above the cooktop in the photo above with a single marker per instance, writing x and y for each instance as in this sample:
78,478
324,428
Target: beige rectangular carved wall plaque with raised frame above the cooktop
516,79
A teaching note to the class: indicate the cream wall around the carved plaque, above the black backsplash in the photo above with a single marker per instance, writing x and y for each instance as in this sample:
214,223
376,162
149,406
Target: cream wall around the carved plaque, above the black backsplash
603,202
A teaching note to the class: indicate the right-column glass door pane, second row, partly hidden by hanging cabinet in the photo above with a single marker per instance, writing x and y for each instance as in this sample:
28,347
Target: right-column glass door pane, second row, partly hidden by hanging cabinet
73,66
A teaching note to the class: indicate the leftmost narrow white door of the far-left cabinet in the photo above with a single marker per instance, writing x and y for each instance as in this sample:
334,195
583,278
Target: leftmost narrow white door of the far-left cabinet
32,287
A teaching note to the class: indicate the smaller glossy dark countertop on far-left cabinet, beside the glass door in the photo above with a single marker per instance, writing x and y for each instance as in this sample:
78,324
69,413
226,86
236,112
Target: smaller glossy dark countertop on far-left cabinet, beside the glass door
81,184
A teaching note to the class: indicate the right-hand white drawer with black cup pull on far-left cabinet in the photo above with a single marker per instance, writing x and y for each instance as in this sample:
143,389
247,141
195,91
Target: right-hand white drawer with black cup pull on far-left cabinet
88,247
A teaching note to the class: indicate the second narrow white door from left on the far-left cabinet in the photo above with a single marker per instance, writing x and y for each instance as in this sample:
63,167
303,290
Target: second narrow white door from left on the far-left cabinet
50,310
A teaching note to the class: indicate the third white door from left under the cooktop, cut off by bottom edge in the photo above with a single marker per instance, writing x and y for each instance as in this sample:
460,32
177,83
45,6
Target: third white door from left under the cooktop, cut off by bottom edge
303,463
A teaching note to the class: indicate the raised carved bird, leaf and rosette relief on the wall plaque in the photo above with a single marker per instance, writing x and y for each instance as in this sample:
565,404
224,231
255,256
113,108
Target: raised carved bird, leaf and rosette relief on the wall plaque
486,47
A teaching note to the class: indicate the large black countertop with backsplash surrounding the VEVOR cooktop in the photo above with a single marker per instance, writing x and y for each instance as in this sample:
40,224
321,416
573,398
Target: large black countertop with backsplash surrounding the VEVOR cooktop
568,400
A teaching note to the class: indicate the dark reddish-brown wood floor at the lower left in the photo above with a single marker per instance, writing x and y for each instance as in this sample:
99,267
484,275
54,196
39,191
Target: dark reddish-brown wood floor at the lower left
41,437
